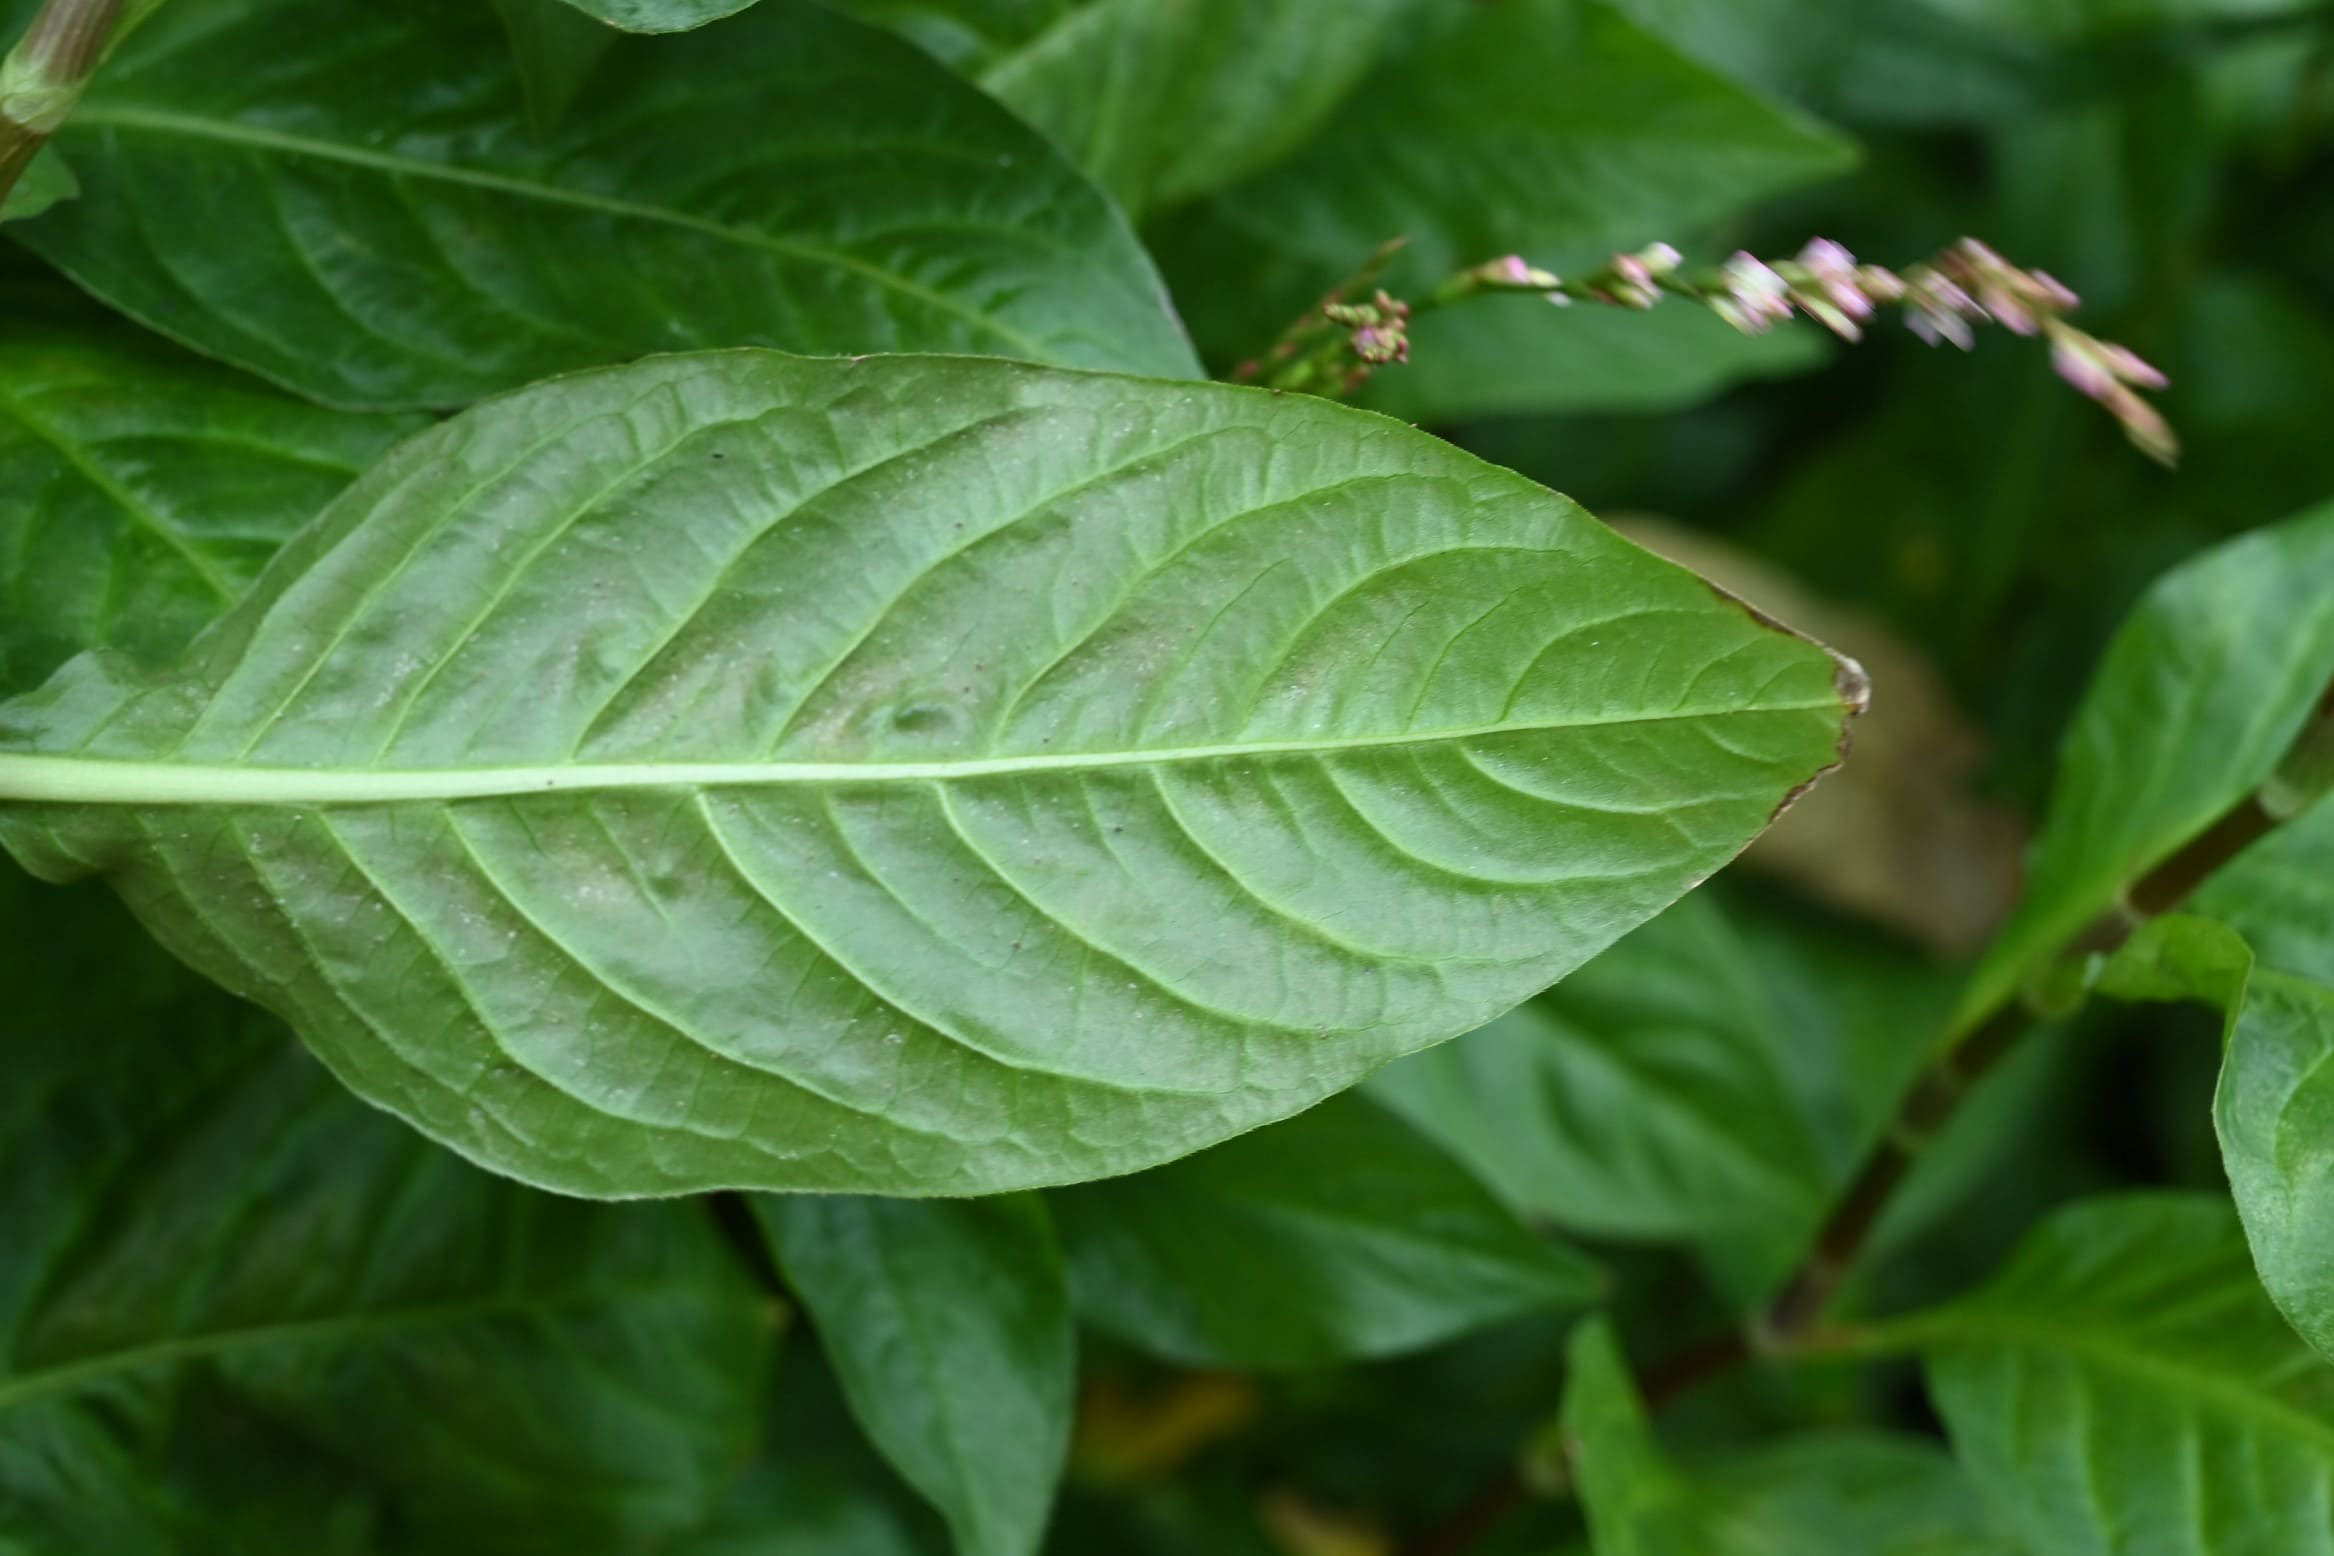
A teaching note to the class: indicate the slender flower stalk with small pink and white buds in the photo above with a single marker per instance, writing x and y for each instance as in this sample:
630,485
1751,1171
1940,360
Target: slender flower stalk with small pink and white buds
1945,300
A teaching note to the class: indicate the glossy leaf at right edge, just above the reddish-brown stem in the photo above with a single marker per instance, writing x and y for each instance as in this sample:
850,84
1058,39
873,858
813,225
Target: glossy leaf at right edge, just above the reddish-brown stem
2193,708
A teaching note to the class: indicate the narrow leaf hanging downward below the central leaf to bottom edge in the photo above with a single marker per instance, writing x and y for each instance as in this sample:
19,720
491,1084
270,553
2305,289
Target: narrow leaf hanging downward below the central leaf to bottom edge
949,1326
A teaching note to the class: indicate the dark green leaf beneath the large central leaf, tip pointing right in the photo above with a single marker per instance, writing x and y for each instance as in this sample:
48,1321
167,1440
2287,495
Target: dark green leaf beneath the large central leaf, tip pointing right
1322,1240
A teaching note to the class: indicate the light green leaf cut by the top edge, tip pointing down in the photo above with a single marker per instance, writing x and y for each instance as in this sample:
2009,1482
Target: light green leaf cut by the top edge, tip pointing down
1159,99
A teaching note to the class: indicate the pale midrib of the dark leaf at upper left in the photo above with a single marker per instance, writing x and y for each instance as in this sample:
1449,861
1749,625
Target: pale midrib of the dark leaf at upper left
554,195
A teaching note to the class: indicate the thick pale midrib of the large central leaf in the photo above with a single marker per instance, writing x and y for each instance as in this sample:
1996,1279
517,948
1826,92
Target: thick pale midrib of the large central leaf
97,780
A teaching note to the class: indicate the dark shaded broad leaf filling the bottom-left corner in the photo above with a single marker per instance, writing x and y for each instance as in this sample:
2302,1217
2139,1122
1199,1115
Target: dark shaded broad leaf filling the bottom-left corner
242,1312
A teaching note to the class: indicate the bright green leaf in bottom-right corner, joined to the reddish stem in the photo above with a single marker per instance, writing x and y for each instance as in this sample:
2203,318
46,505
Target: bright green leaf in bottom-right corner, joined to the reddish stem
2125,1389
